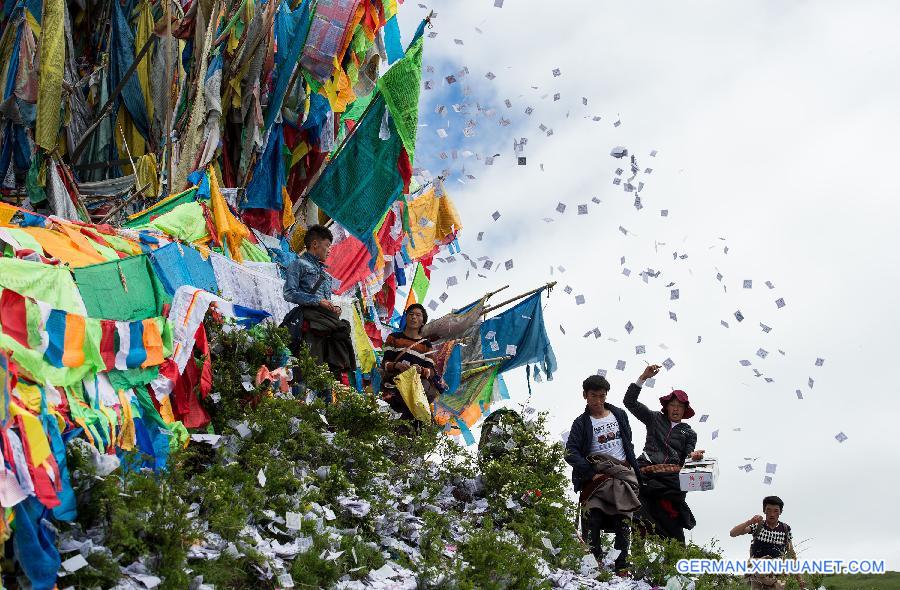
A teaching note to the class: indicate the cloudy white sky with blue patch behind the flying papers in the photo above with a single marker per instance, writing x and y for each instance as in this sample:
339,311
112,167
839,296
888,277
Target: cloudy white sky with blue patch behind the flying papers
775,125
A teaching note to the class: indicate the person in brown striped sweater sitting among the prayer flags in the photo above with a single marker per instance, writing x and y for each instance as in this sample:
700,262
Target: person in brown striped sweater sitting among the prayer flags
406,349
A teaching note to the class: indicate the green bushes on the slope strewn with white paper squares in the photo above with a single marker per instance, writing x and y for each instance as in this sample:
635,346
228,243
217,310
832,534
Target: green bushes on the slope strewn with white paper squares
495,520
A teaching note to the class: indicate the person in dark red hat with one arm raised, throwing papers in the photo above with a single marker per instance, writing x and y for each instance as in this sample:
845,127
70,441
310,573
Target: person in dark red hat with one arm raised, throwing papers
670,442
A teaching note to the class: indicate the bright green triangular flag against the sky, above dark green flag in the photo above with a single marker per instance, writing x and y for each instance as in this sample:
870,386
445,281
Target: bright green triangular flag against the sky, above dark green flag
400,87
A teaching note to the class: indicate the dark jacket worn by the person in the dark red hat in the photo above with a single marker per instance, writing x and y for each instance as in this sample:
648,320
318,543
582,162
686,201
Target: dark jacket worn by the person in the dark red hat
665,443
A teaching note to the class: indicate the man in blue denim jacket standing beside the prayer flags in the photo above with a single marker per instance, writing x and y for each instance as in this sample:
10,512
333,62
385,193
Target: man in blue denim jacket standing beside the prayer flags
316,320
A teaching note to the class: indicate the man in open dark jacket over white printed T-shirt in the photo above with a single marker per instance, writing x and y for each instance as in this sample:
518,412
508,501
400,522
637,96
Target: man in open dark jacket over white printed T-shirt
604,470
